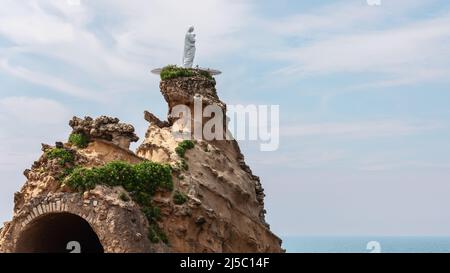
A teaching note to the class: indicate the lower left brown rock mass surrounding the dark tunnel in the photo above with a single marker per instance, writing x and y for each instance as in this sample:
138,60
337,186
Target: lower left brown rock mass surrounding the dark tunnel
44,196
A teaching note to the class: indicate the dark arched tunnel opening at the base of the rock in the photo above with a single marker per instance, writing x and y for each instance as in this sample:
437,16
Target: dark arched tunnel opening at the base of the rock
59,233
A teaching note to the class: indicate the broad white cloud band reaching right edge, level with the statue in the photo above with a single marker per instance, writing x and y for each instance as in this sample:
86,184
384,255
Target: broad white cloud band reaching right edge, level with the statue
414,45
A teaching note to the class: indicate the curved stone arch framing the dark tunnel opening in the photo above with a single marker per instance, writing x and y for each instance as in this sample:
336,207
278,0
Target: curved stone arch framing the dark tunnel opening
120,226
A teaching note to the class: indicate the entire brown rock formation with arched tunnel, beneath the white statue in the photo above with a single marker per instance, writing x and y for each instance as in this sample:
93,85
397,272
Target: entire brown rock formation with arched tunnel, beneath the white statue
216,205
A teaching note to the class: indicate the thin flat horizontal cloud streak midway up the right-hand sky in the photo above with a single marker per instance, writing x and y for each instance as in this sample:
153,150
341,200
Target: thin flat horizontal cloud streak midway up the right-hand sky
383,128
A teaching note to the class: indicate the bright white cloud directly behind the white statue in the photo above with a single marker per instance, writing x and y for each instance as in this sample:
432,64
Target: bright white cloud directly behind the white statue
148,31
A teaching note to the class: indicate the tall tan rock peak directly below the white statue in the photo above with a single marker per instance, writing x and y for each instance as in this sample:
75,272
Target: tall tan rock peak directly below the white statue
225,211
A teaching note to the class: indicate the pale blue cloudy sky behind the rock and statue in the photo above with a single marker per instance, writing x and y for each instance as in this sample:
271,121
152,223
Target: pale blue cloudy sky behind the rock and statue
363,93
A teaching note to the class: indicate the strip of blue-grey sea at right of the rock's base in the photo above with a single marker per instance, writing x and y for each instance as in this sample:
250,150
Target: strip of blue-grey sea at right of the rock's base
366,244
